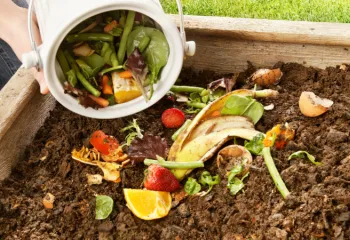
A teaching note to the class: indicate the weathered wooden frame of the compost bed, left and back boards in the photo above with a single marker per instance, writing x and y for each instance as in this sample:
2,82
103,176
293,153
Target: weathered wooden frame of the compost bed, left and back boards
223,45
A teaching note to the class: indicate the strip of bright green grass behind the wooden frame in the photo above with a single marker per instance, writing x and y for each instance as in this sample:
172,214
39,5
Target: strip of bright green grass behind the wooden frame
304,10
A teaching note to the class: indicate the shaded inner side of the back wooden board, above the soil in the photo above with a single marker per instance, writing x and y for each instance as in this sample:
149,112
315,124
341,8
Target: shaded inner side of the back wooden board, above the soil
226,55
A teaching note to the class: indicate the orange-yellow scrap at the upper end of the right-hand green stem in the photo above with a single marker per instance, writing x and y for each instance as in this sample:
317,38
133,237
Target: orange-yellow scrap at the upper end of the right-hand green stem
279,136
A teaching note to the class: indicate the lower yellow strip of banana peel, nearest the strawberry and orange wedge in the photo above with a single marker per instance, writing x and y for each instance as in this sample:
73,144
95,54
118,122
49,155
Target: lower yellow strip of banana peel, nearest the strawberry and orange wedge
203,148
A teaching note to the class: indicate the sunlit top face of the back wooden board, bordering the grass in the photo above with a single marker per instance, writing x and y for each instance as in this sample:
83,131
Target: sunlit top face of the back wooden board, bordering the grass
336,34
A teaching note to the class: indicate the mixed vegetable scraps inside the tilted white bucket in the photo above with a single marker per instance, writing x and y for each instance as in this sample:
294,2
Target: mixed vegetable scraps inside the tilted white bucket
112,60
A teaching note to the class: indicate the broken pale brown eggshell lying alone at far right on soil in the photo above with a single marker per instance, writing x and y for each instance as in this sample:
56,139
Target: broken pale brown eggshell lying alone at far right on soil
312,106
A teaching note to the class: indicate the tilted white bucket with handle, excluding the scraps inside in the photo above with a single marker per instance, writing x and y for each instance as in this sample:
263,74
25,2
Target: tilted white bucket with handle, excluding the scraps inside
56,18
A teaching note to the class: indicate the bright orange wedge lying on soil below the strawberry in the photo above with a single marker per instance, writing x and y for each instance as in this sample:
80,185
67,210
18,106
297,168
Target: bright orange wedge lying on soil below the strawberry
146,204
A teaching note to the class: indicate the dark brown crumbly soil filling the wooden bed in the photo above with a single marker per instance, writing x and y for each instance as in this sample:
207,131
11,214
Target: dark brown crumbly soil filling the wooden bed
317,209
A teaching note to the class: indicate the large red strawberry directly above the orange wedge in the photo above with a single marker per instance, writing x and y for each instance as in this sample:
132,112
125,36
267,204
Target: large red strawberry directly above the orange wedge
158,178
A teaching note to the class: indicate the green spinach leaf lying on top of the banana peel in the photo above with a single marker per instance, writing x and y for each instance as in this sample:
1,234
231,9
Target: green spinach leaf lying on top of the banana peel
243,106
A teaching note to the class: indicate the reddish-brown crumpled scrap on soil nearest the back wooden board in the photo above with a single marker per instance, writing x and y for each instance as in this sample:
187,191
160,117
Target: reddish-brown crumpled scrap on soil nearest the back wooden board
267,77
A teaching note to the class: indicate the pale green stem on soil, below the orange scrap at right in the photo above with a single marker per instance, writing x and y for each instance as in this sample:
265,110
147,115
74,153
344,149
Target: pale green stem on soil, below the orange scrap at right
274,172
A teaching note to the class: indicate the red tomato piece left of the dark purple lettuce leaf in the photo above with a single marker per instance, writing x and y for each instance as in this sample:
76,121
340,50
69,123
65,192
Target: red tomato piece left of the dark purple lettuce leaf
103,143
